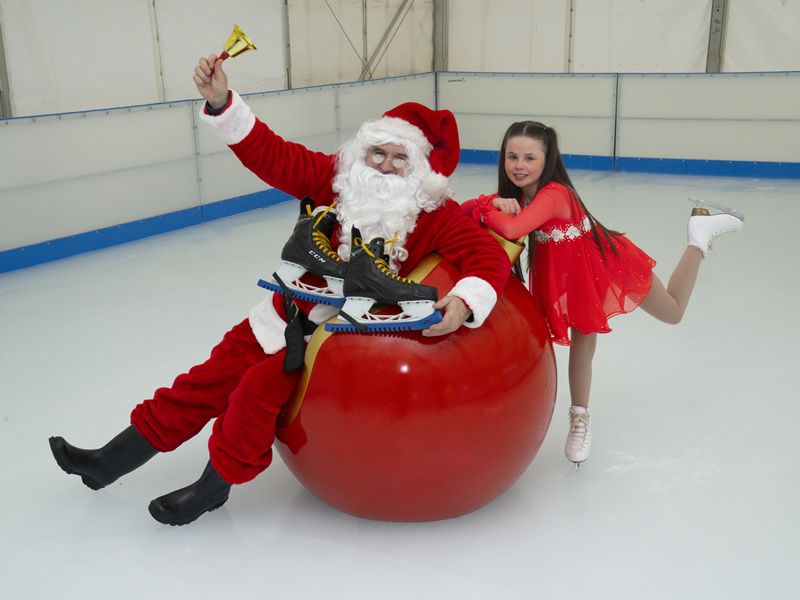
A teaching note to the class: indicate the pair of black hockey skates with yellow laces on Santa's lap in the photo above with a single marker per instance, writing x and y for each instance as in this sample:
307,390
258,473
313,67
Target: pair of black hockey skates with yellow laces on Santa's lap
355,286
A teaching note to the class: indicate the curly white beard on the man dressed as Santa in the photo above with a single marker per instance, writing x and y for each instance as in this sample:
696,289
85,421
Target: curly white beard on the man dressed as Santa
385,206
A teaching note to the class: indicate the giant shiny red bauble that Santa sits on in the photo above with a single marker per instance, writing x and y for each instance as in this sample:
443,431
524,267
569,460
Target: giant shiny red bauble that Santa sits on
400,427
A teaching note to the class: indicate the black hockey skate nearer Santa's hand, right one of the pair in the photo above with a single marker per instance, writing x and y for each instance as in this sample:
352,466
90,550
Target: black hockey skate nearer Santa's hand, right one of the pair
369,280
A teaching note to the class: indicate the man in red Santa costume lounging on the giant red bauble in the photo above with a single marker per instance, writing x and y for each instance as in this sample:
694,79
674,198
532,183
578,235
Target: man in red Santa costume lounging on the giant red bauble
391,182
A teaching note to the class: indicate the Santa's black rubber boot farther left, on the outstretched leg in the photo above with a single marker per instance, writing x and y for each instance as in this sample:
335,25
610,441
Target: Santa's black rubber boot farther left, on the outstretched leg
97,468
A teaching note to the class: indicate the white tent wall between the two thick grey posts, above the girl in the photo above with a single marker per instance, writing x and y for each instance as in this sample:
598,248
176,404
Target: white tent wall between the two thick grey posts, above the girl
579,36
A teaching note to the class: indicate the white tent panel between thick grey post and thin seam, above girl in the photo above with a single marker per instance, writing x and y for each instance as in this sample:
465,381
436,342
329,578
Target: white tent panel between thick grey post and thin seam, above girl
508,35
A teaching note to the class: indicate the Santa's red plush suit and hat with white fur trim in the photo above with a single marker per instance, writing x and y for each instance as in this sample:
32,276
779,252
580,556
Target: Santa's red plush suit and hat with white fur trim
243,384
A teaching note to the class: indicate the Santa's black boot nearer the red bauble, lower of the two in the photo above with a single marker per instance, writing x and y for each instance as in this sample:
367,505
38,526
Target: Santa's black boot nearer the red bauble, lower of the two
185,505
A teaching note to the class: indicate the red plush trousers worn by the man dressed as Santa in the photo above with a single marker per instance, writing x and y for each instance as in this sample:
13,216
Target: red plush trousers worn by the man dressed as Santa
239,385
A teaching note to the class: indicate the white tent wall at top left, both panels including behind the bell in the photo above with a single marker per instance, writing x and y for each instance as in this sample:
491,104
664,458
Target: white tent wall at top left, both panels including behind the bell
85,54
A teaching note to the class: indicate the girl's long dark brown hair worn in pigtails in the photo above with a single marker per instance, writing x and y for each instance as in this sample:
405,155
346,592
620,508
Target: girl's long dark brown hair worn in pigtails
554,170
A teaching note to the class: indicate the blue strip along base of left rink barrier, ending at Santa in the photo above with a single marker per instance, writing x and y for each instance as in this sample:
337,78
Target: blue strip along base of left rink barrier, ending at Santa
28,256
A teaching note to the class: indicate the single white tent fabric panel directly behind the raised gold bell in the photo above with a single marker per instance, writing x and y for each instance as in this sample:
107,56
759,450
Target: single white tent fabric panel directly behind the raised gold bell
188,31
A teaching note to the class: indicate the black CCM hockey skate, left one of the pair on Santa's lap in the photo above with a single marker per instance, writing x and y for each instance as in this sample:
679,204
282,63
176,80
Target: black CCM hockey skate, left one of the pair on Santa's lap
309,250
